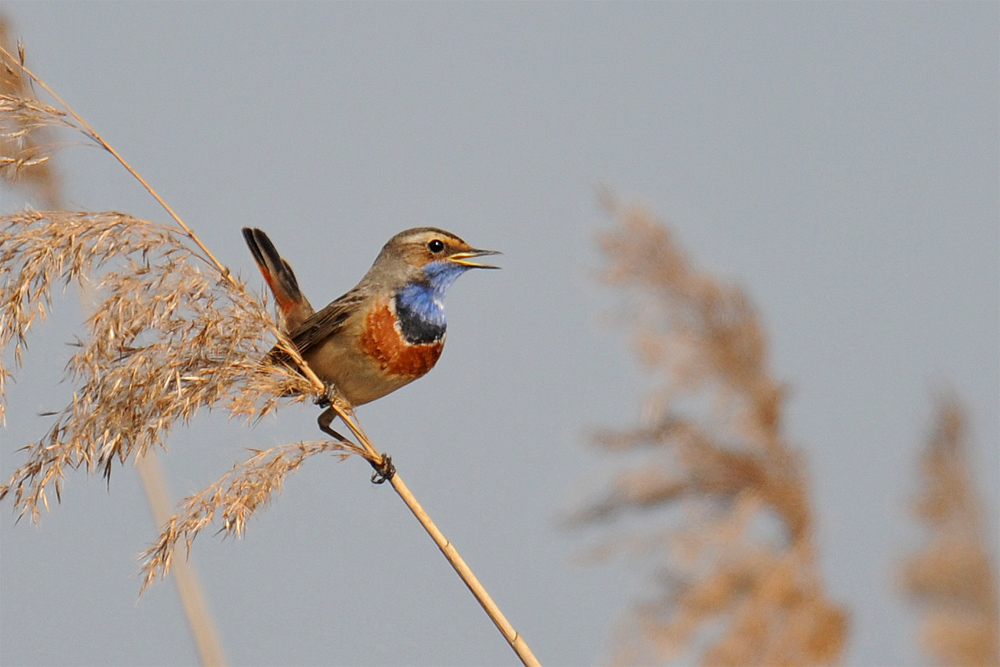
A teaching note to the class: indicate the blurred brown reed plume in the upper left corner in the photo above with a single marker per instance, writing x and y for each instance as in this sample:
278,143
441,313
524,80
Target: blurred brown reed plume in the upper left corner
25,135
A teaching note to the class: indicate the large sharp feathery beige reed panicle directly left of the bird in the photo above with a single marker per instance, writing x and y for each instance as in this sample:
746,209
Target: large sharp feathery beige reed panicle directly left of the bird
169,335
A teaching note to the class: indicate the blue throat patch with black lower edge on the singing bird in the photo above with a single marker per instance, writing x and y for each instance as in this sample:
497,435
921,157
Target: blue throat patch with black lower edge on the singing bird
420,303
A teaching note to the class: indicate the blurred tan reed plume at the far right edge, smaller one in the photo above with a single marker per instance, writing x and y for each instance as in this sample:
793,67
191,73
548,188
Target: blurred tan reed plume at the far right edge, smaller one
953,577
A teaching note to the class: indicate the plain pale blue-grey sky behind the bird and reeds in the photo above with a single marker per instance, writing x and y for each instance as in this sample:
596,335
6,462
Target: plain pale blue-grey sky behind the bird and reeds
840,161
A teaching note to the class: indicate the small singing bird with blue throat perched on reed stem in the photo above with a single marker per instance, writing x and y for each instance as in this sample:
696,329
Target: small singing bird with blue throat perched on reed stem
387,331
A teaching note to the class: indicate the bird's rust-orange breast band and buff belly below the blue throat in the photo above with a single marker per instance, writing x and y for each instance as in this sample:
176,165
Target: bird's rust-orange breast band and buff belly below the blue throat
380,361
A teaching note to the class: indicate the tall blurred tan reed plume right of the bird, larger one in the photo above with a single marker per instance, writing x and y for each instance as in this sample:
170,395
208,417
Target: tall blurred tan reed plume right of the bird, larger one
741,594
